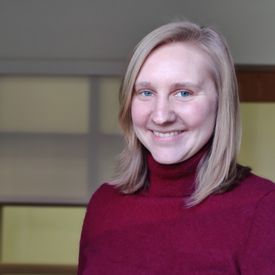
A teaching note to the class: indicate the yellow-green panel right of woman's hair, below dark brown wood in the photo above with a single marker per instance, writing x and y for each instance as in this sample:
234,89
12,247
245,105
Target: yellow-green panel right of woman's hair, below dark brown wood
258,142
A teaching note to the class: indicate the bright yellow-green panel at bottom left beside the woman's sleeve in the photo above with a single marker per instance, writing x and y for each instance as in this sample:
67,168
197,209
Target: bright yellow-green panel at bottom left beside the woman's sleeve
41,234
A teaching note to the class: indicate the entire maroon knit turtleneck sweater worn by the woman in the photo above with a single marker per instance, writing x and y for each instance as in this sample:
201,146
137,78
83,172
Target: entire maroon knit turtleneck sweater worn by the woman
153,233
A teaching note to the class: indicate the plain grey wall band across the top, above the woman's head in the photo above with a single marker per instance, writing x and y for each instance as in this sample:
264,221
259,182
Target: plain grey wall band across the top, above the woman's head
98,34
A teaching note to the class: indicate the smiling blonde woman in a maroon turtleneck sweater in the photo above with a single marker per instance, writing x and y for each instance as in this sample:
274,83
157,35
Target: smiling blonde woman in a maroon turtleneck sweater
180,204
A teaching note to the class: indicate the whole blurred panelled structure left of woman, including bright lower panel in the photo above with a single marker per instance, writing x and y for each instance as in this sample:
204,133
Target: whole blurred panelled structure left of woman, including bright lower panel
59,138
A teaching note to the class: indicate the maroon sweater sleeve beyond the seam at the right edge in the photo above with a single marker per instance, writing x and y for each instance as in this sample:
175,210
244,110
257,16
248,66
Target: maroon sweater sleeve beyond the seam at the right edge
258,256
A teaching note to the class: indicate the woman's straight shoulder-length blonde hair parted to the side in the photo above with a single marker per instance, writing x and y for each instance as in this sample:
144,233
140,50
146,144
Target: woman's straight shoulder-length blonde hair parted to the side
218,169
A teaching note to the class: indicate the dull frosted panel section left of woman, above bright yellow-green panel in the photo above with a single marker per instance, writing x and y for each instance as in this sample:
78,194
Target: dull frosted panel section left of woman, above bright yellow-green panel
58,137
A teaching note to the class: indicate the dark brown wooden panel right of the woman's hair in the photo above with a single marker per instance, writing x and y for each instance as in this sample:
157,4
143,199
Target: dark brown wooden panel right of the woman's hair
256,83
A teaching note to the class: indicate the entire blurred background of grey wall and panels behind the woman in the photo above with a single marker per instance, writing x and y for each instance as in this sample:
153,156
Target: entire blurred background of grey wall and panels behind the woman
61,64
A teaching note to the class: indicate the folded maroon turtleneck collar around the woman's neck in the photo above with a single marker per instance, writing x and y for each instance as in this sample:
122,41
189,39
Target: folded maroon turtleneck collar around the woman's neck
173,180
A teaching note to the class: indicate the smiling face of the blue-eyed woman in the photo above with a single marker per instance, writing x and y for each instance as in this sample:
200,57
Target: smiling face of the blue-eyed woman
174,103
